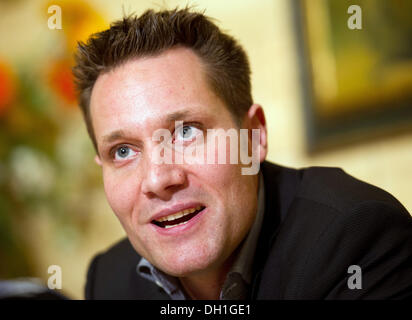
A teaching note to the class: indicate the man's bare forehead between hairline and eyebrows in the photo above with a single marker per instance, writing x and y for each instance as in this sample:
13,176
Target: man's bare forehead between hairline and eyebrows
173,75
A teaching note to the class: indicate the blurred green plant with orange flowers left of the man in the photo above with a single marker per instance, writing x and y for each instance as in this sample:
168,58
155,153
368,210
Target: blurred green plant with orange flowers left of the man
44,146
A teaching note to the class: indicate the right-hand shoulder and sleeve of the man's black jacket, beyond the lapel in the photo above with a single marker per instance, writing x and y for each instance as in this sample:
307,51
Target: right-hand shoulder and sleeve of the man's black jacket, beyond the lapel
335,221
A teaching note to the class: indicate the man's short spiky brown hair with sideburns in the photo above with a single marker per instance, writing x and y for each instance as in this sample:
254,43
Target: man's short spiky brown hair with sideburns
227,66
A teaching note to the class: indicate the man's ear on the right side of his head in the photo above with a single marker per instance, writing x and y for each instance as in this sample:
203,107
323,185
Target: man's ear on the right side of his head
255,119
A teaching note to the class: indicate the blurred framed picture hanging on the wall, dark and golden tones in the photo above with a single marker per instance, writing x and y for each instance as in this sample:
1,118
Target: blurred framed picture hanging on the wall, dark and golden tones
357,81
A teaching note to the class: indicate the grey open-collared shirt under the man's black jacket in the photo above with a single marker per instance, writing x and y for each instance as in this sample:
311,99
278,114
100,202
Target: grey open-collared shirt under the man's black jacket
238,279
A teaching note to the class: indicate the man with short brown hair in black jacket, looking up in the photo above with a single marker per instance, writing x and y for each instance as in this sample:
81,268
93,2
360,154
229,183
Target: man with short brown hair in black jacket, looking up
204,230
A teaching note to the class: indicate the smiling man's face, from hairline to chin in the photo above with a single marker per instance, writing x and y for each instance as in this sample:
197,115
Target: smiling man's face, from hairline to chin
128,105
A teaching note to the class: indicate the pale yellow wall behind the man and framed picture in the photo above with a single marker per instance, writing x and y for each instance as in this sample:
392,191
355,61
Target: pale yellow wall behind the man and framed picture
264,27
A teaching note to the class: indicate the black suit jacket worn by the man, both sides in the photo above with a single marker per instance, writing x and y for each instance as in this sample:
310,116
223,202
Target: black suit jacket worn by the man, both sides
318,222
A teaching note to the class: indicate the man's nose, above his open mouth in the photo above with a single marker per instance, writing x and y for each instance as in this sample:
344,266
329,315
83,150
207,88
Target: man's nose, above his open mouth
162,180
